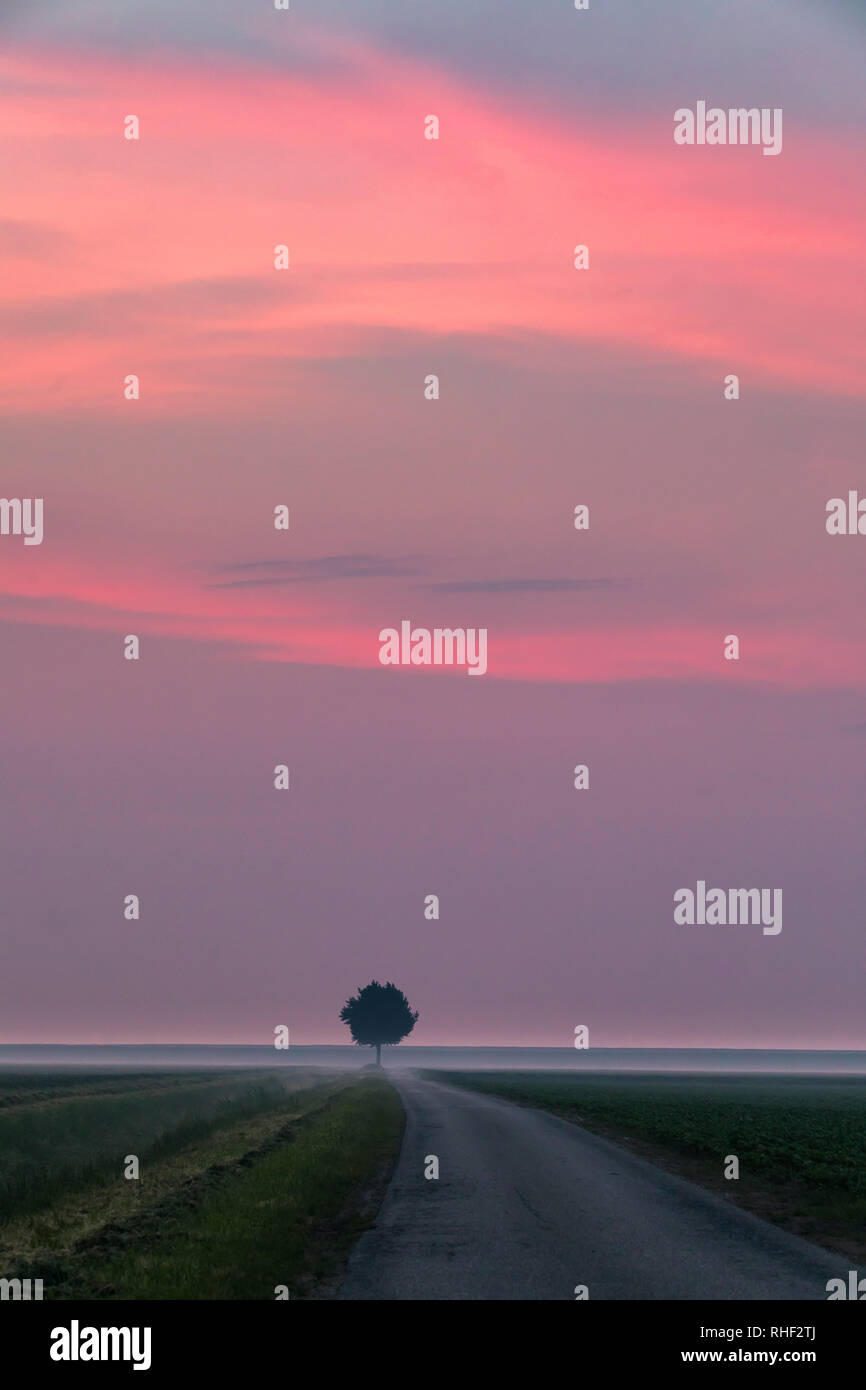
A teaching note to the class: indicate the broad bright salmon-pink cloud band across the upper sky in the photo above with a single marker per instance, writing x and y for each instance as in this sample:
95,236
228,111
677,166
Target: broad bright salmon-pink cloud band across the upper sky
708,259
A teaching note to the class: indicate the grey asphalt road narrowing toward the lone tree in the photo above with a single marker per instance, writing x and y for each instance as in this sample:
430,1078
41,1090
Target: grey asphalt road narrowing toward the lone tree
529,1207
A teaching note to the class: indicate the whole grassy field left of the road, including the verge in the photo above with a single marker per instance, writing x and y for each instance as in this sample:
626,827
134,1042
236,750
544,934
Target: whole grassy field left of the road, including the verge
248,1179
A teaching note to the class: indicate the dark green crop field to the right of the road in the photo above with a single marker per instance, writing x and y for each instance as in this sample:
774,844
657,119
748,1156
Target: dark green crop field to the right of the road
801,1142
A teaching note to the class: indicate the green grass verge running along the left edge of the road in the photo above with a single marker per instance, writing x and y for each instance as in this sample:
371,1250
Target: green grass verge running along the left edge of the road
284,1216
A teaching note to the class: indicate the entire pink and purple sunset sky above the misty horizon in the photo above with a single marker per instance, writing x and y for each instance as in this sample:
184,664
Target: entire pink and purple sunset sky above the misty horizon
307,389
